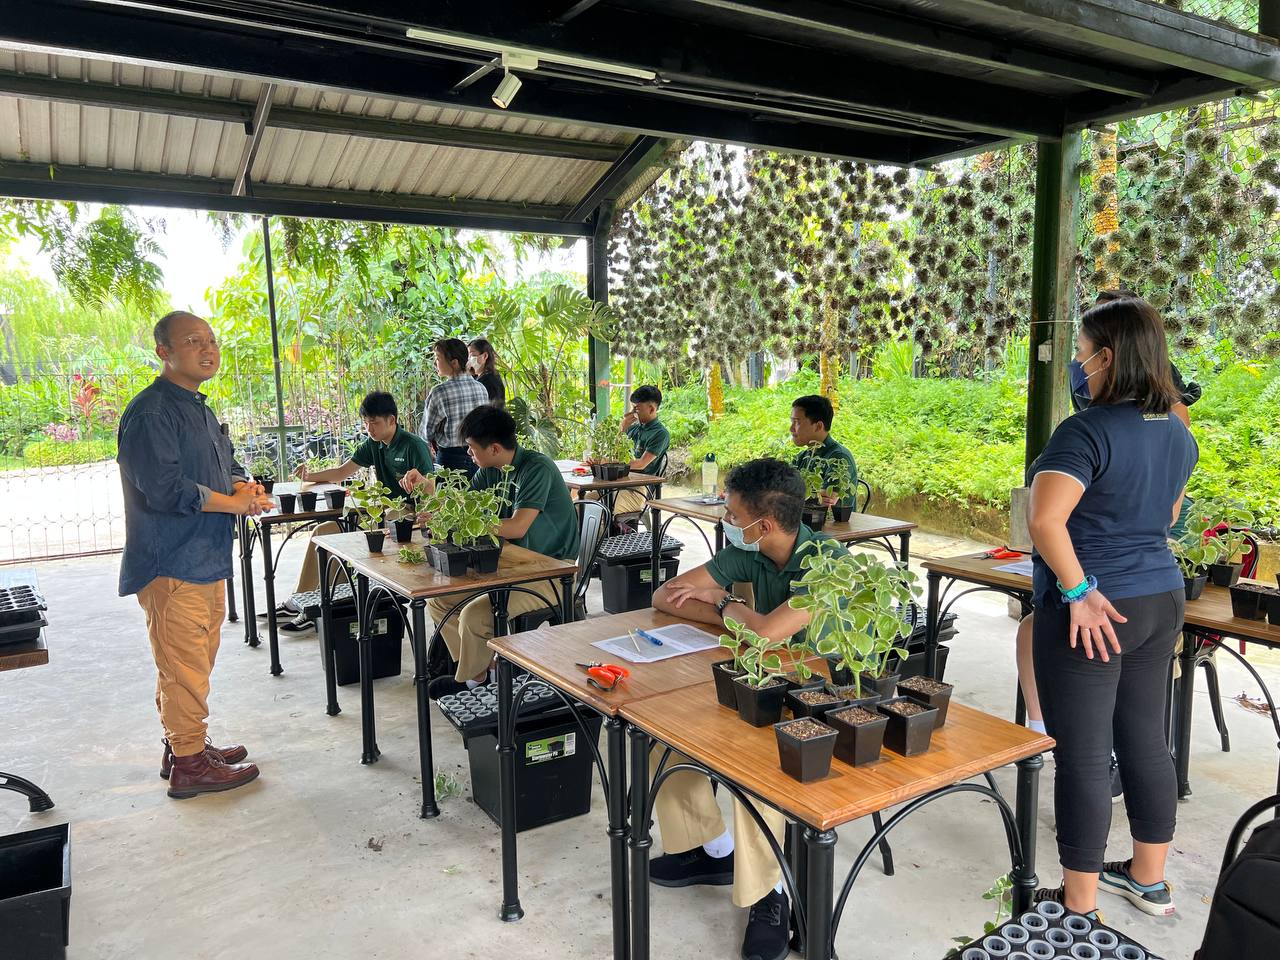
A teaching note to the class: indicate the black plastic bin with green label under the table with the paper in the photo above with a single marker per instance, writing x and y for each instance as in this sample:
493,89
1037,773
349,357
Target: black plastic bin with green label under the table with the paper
554,770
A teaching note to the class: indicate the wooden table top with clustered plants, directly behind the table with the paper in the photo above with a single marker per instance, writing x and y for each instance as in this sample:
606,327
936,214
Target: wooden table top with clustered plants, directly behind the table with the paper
422,580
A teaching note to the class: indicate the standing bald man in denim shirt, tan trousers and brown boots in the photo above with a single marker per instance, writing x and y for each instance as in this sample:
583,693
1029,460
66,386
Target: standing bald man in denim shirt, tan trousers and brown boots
182,486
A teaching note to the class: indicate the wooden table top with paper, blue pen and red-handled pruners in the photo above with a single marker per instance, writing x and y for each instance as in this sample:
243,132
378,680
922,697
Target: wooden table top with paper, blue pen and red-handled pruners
555,652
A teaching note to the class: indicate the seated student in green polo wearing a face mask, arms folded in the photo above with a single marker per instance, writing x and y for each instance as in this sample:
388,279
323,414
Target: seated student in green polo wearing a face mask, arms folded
765,500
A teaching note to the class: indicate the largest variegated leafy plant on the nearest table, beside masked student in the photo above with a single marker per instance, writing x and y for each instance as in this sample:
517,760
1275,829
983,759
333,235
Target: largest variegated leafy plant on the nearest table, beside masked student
853,604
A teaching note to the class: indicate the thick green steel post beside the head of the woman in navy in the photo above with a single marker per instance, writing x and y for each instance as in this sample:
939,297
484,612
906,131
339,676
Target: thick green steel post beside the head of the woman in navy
1058,195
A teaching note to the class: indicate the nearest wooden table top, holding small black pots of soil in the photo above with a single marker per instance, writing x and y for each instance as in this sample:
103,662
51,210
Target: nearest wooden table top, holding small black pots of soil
693,723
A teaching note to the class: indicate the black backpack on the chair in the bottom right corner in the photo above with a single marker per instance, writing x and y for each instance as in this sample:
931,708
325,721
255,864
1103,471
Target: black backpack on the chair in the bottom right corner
1245,920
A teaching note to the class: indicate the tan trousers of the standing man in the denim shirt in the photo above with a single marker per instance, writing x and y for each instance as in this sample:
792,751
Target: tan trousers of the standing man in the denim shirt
185,625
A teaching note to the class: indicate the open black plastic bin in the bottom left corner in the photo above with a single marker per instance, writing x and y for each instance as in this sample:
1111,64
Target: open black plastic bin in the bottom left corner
36,894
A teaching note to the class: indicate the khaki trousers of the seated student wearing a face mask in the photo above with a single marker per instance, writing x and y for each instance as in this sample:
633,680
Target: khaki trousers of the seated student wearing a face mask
688,816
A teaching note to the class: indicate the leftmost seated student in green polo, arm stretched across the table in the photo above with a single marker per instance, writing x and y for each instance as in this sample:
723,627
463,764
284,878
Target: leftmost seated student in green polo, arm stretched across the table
401,460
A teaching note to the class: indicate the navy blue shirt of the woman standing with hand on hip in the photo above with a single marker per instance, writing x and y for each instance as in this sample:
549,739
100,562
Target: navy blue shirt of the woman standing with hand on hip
1132,467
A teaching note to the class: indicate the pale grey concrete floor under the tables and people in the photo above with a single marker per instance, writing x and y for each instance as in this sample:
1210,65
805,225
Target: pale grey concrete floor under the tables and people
324,858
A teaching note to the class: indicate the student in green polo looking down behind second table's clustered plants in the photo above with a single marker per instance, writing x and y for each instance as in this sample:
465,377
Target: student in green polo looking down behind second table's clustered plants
542,520
